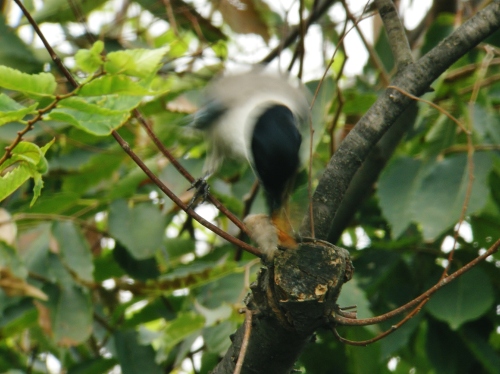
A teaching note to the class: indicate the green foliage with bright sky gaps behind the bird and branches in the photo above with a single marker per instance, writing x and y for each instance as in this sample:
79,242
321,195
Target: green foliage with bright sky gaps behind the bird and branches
103,273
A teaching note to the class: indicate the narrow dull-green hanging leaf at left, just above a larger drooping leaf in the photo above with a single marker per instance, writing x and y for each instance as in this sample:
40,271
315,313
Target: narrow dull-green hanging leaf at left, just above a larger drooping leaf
74,249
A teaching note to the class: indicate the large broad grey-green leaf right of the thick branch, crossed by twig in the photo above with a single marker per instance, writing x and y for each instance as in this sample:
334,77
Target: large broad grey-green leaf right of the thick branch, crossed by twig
431,194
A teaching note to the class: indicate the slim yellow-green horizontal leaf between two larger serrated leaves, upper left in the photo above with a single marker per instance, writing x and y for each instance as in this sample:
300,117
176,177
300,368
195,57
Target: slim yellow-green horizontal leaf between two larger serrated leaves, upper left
113,84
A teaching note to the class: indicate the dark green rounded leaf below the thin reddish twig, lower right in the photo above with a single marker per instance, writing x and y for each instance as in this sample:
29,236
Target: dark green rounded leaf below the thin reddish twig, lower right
465,299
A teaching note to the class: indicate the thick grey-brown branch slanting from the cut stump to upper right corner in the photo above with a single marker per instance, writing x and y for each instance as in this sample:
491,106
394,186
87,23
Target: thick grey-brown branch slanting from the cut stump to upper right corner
415,79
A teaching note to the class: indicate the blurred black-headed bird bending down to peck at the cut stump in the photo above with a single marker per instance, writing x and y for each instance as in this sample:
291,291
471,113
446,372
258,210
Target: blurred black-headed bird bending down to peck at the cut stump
257,117
